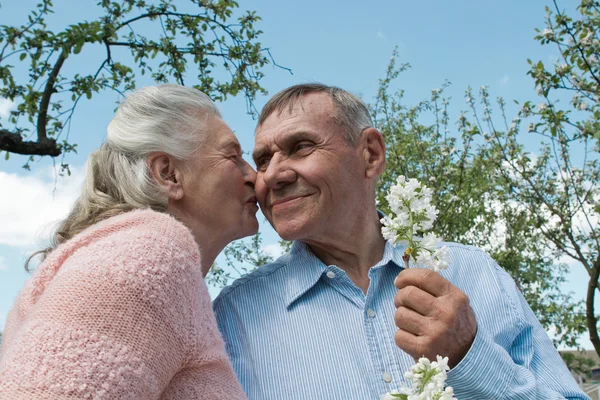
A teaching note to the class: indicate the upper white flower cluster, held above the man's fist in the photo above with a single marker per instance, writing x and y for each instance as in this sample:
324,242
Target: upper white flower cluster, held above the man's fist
410,204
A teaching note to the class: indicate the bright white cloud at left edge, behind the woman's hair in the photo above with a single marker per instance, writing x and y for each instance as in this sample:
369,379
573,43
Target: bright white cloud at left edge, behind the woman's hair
32,203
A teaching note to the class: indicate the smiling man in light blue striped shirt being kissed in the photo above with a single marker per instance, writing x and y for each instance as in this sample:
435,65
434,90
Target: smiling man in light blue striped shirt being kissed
338,317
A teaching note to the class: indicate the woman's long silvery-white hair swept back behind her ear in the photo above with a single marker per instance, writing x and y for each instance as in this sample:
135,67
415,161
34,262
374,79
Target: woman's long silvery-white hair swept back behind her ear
165,118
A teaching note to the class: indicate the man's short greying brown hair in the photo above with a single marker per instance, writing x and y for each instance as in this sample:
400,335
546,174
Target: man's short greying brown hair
350,111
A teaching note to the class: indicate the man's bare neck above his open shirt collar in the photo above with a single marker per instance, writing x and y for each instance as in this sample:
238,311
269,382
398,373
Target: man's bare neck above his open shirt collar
356,251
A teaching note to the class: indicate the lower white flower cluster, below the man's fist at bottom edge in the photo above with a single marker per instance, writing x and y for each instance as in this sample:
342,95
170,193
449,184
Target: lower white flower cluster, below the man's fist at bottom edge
427,379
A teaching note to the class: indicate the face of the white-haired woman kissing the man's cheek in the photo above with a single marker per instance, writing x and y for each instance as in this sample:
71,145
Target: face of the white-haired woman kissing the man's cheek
218,188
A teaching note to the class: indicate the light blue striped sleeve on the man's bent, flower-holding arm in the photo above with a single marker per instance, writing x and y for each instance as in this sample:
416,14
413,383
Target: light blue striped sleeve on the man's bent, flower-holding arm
530,368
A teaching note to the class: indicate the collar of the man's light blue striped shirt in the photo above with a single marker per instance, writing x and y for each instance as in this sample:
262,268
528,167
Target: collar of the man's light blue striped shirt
304,268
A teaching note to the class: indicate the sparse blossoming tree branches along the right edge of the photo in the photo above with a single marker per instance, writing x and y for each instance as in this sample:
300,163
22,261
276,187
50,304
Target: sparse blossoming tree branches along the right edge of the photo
558,187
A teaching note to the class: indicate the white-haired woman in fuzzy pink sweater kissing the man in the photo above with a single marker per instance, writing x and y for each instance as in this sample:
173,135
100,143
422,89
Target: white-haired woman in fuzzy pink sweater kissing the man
118,309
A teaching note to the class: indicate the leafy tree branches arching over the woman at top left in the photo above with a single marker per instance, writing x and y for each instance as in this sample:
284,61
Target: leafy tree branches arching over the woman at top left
131,38
